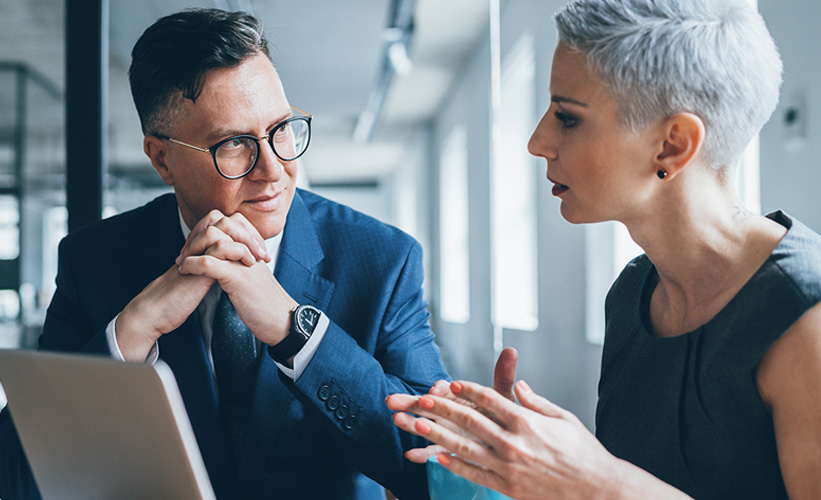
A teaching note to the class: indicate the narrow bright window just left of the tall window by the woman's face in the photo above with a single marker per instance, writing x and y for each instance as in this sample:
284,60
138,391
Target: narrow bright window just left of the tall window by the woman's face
453,225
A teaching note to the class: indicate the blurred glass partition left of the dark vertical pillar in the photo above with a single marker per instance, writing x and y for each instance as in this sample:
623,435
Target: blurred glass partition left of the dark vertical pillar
32,184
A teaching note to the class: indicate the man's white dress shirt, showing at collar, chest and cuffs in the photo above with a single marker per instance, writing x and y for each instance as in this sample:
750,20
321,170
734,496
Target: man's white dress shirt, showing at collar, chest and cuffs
206,311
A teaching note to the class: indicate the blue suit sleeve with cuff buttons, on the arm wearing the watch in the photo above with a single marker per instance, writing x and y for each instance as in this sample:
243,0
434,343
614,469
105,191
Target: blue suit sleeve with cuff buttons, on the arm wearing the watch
348,385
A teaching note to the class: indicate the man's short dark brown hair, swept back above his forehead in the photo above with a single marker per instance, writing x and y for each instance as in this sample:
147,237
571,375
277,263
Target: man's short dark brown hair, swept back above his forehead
176,53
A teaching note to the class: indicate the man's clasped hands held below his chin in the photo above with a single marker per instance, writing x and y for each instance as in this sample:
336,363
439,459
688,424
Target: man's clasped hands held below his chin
224,248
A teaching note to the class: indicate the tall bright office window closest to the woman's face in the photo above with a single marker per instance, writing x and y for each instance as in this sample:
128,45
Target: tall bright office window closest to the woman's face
513,190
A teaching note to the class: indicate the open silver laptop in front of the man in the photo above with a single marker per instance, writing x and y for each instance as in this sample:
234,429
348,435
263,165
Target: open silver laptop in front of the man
95,428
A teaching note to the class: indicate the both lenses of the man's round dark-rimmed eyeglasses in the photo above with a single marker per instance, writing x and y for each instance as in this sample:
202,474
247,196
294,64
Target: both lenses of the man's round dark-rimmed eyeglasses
237,156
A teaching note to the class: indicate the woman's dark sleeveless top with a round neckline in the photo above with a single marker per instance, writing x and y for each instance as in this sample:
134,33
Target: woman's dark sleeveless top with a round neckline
687,408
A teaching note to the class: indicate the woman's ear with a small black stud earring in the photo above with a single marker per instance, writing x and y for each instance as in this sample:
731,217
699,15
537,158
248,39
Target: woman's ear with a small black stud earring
683,136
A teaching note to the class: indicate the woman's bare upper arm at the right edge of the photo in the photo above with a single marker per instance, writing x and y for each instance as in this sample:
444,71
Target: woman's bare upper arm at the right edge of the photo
789,381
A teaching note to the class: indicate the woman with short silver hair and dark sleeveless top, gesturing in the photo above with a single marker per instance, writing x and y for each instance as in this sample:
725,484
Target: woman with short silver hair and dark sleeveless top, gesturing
711,372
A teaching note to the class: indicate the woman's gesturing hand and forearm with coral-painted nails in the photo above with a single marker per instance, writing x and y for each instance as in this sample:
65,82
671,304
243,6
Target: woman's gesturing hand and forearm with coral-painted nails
534,451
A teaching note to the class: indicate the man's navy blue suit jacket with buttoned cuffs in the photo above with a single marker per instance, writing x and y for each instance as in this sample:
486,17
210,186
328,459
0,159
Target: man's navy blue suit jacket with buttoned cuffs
312,438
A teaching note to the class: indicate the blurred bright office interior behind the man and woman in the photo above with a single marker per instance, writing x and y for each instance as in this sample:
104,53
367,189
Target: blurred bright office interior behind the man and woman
423,109
